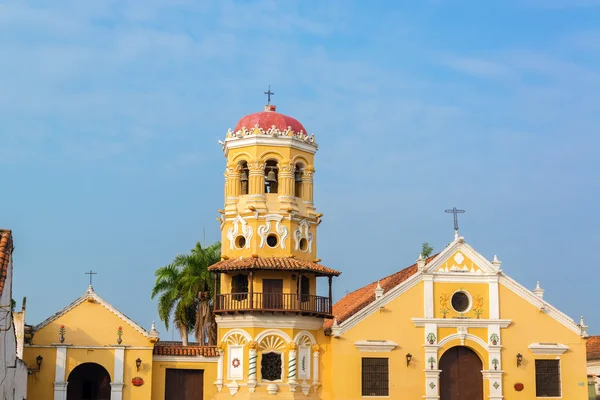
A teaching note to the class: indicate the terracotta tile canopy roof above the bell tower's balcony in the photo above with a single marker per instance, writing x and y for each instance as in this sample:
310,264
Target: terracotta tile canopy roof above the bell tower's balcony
271,263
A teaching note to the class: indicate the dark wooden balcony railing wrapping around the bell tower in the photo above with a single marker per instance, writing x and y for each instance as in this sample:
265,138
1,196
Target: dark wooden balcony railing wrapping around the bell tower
273,302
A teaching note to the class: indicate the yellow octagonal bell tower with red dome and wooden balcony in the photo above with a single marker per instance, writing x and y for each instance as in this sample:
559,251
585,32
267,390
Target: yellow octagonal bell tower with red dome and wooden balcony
268,311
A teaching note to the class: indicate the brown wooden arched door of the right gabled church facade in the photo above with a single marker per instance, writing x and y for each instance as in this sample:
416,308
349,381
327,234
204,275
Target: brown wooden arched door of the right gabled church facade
461,377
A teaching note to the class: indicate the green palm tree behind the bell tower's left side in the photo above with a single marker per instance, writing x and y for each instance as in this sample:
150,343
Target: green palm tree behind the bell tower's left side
186,292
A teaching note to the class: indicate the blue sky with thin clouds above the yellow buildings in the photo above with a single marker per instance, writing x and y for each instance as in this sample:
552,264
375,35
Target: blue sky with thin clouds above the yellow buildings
110,114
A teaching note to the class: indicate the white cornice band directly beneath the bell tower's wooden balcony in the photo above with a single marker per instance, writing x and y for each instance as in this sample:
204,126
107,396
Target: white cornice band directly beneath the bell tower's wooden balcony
269,321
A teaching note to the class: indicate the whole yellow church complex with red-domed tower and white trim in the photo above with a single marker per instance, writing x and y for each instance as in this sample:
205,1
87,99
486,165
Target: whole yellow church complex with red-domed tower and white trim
453,326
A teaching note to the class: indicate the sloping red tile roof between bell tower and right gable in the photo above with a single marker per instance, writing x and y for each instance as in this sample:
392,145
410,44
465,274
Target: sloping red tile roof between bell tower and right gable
353,302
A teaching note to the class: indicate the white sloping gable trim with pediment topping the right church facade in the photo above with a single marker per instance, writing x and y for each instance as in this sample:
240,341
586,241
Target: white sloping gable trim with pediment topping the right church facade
441,266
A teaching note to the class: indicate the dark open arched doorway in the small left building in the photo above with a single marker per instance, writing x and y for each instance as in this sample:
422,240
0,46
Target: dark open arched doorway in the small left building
88,381
